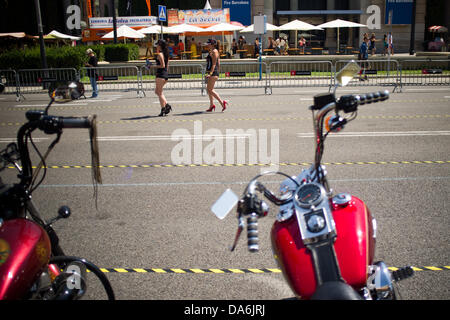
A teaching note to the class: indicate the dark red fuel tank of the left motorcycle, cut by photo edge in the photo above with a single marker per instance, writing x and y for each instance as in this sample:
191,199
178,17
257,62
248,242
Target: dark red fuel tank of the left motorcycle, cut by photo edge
24,253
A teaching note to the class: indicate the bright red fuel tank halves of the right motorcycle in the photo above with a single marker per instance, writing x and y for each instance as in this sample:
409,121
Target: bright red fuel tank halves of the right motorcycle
354,246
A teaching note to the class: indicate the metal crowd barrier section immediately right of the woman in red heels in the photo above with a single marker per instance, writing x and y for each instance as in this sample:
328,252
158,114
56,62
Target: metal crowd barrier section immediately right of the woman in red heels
243,74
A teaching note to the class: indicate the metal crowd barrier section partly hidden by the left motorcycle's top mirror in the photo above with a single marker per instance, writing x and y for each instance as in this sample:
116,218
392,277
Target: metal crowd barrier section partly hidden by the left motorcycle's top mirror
31,81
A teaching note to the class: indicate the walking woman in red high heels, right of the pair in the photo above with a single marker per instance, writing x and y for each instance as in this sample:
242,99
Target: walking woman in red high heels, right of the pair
212,74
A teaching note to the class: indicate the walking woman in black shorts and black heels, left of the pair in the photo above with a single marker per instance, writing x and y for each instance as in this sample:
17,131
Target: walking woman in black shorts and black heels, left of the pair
162,75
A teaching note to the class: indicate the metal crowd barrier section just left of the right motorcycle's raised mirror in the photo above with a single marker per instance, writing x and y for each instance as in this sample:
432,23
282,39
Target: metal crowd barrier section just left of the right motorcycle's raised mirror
301,74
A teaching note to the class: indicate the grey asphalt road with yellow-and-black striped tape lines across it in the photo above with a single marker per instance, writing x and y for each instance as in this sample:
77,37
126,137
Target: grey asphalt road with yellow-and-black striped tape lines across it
153,214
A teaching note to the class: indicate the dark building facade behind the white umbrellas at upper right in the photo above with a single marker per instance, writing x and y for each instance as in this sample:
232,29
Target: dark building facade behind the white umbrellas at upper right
373,13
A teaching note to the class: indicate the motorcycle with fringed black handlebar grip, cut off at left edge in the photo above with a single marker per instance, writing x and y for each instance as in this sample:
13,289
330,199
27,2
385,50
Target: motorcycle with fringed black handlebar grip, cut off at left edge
32,263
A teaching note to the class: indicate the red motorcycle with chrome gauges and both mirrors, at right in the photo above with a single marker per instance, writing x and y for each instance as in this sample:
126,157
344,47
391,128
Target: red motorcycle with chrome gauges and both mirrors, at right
323,243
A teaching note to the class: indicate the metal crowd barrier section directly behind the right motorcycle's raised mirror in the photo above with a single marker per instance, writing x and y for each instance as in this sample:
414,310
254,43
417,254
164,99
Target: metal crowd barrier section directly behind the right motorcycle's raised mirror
374,73
